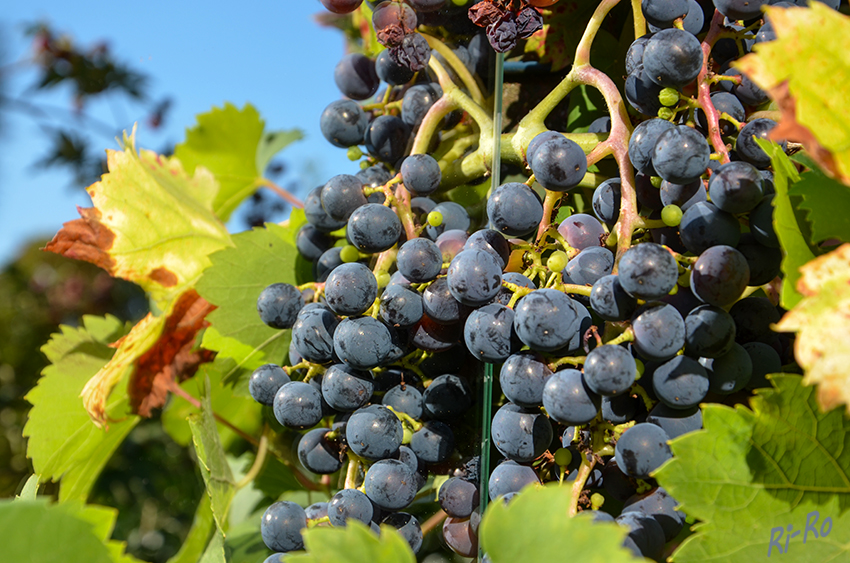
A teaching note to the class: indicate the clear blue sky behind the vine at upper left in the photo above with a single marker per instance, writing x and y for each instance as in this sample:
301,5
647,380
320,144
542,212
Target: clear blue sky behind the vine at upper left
202,54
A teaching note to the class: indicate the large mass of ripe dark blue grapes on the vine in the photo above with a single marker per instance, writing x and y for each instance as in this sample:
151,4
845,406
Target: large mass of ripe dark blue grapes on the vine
603,350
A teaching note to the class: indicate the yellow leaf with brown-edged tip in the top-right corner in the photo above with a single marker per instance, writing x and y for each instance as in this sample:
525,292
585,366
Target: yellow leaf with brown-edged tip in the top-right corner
807,71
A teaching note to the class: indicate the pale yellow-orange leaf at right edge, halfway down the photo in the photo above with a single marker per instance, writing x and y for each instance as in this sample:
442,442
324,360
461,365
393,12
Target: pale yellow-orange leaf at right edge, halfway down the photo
820,320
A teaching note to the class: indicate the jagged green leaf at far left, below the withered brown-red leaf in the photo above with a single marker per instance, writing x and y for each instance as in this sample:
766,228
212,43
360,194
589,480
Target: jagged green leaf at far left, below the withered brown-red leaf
63,442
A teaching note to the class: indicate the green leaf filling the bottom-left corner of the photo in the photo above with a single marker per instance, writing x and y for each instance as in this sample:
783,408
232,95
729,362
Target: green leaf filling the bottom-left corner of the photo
40,532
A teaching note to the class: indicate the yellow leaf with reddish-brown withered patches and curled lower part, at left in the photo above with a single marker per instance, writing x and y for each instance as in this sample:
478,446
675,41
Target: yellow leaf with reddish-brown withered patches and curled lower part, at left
152,224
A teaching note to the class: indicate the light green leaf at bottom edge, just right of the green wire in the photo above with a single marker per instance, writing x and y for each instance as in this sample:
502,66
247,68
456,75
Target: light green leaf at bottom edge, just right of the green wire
536,526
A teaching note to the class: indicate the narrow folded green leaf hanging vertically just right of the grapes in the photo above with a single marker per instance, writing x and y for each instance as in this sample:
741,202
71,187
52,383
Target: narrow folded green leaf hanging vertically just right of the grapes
786,223
